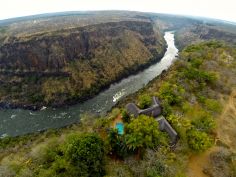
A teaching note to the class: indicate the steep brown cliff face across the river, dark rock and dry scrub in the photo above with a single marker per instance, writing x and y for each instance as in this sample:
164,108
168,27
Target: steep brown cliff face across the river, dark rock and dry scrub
69,65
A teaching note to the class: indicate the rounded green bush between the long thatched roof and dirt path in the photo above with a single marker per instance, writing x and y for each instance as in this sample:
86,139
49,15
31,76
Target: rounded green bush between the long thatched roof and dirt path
198,141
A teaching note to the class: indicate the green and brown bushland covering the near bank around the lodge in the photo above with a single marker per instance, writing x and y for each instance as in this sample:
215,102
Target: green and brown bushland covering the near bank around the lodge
191,93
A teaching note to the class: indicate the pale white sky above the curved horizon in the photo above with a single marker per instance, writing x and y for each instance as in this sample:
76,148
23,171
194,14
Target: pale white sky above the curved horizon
220,9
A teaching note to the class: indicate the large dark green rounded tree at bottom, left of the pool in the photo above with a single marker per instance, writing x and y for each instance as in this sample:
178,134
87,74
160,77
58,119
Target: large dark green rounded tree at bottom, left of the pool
86,152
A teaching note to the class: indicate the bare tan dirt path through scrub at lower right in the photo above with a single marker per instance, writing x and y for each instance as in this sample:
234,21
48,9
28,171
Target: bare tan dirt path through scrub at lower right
226,133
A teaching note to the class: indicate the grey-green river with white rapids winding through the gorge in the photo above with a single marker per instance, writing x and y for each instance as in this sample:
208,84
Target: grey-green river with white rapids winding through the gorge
15,122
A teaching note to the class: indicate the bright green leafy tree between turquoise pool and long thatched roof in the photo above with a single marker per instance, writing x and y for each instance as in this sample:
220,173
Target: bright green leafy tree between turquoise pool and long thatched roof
142,132
